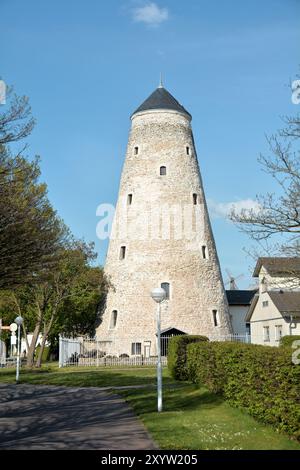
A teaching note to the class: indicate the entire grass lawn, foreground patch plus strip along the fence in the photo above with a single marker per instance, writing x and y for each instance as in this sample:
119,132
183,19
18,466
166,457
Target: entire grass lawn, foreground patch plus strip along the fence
193,418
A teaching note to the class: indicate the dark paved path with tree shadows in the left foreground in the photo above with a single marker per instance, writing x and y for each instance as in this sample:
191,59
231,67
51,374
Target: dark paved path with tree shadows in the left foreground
49,417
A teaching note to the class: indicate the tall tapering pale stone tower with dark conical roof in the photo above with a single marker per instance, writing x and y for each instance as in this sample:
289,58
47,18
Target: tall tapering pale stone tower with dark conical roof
161,236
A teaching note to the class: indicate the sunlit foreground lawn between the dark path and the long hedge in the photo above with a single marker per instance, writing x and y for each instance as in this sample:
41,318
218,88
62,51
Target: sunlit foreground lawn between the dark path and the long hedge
194,418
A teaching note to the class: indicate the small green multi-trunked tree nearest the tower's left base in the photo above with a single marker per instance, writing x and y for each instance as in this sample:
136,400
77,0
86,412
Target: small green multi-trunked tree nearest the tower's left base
67,301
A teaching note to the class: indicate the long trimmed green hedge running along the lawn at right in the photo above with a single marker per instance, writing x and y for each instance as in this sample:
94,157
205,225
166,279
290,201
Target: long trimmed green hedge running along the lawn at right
261,380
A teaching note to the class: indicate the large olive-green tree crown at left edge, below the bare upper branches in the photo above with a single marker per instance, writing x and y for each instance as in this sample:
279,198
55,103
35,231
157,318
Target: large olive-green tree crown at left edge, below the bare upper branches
31,233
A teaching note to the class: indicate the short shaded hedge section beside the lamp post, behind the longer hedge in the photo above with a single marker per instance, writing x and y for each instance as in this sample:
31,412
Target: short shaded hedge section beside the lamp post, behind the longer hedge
177,354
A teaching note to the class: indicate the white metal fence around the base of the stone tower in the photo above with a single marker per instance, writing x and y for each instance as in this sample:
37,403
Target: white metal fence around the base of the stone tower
90,352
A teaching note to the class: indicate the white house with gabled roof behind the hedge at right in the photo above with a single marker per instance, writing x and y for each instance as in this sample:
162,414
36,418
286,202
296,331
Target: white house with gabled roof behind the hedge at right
275,310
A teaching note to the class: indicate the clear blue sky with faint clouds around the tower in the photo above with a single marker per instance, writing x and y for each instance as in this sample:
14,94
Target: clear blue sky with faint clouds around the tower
87,65
